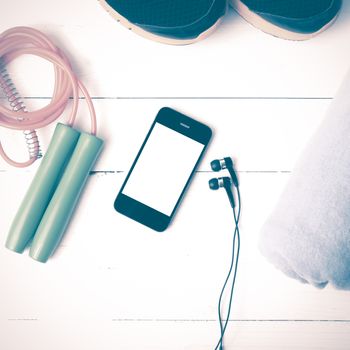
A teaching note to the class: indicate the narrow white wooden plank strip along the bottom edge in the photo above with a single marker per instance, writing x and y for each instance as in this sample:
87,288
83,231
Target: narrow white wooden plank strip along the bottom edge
158,335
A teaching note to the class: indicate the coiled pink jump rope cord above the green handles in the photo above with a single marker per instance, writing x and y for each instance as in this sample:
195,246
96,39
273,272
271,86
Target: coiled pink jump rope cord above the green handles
28,41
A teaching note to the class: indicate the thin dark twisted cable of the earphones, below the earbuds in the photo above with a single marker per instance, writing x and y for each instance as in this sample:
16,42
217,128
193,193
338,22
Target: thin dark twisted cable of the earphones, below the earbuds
234,262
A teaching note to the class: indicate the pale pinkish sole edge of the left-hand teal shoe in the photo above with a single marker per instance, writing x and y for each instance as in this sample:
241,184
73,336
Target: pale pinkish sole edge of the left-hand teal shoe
164,40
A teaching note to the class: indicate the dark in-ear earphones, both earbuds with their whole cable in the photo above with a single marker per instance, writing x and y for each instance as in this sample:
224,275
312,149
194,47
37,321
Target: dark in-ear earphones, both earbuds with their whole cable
231,185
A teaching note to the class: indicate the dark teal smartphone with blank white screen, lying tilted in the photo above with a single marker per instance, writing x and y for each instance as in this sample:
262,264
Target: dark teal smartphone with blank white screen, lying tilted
163,168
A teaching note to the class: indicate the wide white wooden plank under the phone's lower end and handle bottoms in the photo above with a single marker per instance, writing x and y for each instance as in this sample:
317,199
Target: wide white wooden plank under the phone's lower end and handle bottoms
111,266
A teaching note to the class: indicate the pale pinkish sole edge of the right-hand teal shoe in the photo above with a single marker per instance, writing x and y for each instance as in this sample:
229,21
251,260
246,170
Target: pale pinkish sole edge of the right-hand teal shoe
272,29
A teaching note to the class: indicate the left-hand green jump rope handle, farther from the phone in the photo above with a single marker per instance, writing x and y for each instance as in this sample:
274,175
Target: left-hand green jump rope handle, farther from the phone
42,187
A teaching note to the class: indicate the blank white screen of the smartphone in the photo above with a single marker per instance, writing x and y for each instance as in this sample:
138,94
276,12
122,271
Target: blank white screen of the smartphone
163,169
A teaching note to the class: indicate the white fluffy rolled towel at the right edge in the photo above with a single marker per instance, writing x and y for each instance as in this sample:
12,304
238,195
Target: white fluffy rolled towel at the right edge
308,234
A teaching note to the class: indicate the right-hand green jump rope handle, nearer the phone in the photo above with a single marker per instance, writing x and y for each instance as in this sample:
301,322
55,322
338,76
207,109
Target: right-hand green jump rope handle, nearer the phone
65,198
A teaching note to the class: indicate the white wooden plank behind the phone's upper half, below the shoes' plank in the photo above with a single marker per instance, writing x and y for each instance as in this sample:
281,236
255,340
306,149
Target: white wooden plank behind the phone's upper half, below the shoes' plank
262,135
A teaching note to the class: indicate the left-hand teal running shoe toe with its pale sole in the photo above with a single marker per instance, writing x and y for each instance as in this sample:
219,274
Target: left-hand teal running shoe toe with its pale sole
175,22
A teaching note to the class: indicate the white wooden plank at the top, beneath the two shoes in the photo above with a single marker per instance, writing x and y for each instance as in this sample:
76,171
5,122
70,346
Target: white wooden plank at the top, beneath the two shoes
237,60
